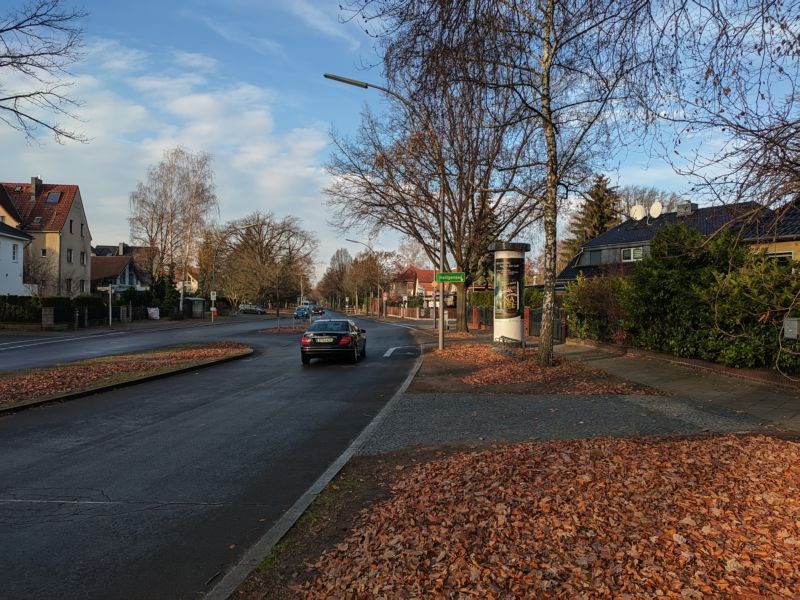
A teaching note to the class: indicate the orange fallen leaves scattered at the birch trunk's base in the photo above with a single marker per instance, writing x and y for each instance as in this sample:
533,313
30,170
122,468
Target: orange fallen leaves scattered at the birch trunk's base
518,366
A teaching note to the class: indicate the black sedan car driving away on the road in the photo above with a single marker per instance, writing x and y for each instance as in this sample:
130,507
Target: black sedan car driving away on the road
340,338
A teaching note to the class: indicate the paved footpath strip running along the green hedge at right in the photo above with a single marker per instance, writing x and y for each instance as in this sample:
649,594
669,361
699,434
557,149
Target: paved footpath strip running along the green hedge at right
761,394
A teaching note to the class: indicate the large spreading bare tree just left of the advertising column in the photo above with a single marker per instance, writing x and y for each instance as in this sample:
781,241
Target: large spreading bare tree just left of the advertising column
444,155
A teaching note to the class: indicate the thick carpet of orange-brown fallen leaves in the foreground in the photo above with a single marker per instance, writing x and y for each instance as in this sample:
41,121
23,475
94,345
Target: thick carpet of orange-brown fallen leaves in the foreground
700,518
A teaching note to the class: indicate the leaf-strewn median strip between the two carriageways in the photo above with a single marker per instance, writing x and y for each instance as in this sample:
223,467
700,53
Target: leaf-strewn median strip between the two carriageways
37,384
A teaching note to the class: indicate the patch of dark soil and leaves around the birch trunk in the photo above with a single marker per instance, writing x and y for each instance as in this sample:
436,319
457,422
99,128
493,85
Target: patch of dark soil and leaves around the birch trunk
488,367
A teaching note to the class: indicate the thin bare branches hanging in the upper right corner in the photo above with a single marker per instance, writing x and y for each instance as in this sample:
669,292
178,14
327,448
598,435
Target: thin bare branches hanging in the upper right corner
726,98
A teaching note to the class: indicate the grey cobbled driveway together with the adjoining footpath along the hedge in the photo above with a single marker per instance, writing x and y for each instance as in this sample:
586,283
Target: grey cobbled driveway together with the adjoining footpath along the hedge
701,401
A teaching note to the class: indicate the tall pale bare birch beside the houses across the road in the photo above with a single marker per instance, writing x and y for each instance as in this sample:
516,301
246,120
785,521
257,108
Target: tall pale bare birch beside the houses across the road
169,212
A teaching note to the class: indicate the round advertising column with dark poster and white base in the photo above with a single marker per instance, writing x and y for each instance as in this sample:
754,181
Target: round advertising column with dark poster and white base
509,289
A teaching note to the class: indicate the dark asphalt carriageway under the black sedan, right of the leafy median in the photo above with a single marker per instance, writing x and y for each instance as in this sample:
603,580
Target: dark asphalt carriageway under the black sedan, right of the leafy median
154,491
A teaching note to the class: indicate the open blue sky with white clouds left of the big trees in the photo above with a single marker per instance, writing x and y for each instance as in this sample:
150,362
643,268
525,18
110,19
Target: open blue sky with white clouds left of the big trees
240,79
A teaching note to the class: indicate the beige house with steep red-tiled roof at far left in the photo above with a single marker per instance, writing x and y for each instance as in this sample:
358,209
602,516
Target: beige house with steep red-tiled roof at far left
59,255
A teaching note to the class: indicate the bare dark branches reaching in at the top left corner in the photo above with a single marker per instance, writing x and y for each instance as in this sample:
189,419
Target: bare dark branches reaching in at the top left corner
38,42
